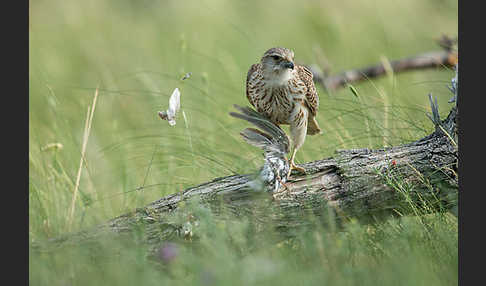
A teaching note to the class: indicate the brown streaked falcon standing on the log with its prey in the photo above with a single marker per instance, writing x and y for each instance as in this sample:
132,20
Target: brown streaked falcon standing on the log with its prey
285,94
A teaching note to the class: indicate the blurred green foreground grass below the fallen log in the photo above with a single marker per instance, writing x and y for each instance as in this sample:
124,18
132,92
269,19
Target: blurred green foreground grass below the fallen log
405,251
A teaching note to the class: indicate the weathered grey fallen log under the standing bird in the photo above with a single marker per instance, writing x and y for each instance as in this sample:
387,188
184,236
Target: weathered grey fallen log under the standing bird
359,183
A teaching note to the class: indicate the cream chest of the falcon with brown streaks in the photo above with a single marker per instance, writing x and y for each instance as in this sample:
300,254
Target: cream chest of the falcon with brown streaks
278,102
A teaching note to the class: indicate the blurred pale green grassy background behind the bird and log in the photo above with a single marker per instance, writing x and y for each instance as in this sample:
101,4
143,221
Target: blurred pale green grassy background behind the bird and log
136,52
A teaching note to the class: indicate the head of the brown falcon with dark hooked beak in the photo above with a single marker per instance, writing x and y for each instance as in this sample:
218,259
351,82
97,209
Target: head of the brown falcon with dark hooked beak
278,62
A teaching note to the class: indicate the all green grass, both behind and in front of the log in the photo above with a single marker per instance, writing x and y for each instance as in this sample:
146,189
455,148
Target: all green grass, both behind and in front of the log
136,52
